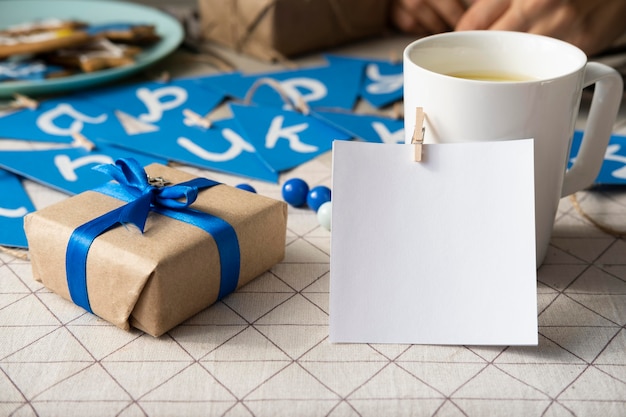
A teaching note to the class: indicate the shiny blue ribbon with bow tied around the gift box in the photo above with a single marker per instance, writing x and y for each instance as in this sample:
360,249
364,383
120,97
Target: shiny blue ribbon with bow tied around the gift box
141,197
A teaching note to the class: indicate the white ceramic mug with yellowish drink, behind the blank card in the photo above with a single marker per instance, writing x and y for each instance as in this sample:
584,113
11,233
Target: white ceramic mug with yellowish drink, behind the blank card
543,106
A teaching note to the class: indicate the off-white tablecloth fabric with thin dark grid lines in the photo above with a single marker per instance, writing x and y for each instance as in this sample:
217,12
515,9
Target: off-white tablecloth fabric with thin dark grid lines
264,350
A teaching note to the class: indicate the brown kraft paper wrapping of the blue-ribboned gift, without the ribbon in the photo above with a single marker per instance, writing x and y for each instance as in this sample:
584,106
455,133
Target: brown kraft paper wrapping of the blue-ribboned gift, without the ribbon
156,280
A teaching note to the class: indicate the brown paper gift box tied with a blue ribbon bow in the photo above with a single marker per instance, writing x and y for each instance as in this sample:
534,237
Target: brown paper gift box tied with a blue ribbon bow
193,242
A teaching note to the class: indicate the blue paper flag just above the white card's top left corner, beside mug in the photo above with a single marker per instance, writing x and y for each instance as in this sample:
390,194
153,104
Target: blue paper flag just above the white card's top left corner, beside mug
370,128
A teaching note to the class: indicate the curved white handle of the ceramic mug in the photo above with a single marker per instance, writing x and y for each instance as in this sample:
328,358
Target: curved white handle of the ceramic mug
602,114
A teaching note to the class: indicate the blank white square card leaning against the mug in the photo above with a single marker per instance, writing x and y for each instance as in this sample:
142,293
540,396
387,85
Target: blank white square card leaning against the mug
434,252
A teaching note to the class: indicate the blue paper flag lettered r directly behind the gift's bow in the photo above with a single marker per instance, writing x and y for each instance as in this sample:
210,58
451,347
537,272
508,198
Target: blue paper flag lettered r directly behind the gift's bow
68,170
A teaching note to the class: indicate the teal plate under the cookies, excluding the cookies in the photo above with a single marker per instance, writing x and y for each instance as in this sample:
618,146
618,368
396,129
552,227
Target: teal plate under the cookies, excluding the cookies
14,12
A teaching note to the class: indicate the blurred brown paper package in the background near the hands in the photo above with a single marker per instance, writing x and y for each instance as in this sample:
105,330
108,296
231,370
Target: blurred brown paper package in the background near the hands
275,29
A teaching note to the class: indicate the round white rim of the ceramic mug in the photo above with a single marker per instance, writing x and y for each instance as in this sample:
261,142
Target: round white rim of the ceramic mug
494,34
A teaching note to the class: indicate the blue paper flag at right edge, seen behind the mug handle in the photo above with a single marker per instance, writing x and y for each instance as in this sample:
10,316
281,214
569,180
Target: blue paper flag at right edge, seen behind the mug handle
613,170
